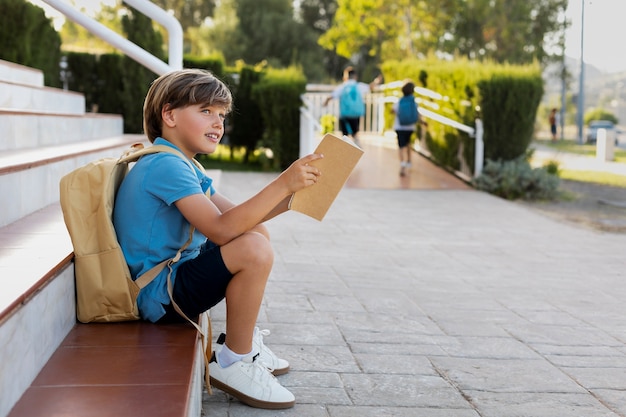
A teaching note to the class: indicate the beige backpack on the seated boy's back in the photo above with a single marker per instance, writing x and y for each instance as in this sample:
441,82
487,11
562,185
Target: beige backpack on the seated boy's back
105,291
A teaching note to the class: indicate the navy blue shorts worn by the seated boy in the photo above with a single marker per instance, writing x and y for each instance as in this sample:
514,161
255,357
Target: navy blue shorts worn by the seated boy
200,284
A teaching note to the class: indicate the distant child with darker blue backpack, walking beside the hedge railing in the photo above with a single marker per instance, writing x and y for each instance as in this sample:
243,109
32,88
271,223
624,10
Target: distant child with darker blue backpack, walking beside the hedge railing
405,120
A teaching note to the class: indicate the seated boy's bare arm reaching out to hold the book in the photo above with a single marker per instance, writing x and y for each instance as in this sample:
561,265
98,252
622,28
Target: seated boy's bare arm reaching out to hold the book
222,227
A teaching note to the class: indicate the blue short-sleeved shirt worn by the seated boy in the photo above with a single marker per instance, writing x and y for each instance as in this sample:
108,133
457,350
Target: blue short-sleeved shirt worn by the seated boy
149,227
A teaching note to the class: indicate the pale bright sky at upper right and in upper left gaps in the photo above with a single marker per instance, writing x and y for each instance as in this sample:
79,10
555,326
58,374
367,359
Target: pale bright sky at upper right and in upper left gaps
604,31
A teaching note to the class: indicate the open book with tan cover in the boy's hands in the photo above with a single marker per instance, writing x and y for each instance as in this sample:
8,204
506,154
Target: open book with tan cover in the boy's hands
340,158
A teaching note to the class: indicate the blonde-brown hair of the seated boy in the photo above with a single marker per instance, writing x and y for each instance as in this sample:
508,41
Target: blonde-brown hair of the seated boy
179,89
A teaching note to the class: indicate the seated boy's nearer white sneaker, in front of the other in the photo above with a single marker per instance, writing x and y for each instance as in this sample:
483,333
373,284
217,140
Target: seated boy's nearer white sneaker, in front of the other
251,383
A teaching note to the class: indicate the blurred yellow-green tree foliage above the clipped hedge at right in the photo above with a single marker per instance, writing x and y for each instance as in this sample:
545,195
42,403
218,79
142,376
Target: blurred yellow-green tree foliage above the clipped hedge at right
502,31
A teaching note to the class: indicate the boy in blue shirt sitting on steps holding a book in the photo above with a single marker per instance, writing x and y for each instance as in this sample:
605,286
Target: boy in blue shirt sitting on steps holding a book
230,255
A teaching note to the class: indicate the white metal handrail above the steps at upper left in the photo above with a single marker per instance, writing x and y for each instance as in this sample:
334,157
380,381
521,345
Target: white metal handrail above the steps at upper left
173,27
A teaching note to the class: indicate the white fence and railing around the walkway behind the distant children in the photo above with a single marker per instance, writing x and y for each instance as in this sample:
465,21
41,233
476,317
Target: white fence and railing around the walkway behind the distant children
374,120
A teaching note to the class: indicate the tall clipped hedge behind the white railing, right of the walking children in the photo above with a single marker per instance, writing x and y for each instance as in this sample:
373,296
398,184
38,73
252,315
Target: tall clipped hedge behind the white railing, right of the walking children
505,97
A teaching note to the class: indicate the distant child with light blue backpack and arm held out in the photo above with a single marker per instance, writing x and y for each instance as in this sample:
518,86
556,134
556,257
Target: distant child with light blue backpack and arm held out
351,95
